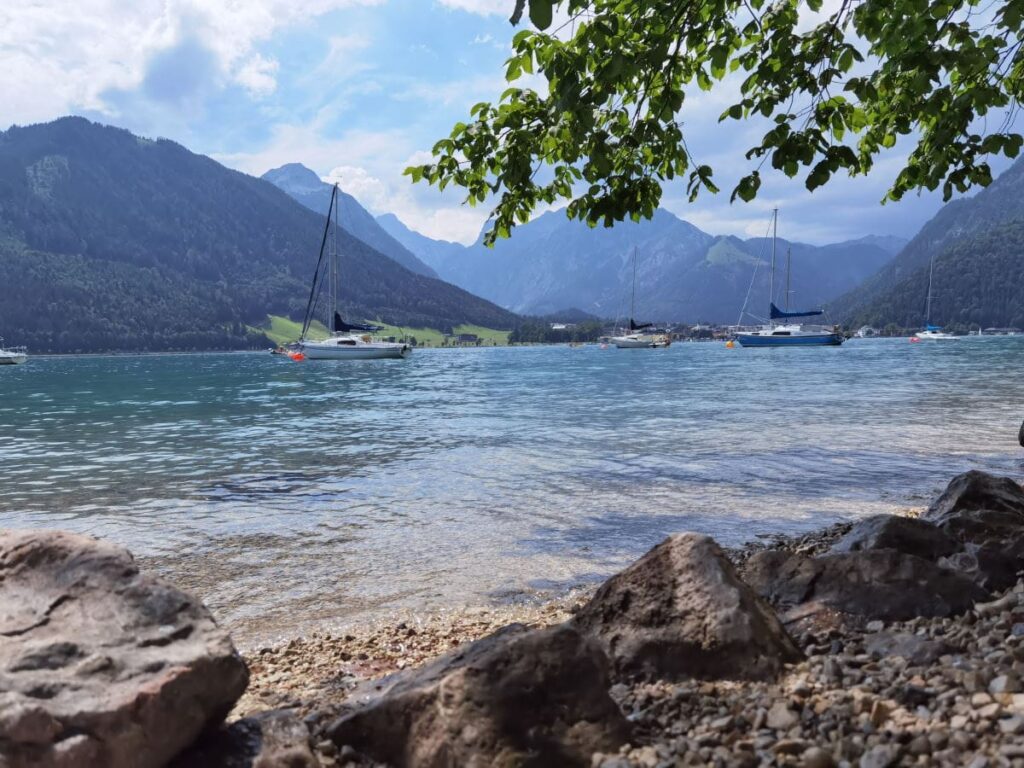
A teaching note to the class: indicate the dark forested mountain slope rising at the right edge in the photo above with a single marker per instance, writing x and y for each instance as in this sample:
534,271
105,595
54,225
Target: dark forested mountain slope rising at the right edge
976,244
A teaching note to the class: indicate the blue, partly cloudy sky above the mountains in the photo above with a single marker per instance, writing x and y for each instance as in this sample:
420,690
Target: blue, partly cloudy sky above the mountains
358,91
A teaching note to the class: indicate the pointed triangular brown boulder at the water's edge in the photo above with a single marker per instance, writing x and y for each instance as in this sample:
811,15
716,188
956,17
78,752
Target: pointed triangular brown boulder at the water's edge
682,612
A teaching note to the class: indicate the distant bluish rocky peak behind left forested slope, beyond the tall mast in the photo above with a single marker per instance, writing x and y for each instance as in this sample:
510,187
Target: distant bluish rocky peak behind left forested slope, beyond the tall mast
308,188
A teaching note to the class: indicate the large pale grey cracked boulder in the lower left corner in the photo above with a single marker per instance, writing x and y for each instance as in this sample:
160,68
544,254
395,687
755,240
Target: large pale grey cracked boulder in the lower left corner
102,665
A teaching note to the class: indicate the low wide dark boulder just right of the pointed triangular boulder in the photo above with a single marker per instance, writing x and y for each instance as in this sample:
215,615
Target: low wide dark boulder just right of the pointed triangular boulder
875,584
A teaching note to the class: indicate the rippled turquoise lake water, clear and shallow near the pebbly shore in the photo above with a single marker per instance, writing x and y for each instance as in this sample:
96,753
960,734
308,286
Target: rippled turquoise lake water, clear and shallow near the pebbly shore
336,492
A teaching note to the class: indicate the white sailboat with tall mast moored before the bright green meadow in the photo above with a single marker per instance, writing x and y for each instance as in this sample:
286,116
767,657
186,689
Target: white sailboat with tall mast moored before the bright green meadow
349,342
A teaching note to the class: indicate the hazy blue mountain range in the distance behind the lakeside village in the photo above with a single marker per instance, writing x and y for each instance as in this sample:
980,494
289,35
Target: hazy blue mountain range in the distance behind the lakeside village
684,274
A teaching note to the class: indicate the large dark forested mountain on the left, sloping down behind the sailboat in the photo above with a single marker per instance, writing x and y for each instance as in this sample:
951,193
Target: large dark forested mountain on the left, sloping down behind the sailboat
110,241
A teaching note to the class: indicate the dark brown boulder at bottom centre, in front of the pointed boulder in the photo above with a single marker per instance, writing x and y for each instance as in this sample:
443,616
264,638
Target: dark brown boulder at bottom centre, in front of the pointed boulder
519,698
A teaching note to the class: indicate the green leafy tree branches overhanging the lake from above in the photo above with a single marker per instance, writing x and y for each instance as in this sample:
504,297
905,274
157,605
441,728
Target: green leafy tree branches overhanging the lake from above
834,92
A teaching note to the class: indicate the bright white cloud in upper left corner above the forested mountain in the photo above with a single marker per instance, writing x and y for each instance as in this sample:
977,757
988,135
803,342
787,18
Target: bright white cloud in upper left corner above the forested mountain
60,57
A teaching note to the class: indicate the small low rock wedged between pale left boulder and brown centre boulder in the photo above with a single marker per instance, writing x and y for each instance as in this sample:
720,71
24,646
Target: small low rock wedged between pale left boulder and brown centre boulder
270,740
